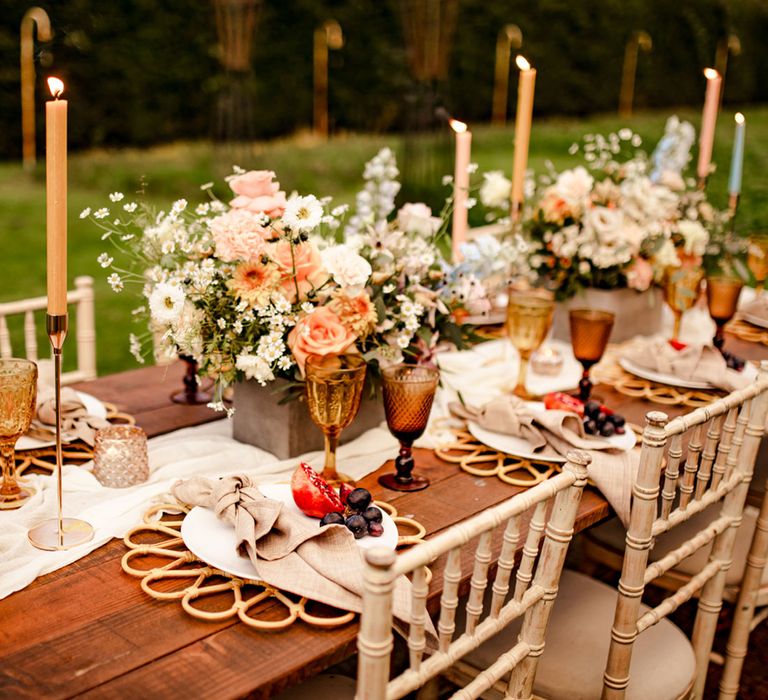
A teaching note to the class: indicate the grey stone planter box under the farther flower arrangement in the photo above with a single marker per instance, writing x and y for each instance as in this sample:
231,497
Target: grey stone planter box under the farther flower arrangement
637,313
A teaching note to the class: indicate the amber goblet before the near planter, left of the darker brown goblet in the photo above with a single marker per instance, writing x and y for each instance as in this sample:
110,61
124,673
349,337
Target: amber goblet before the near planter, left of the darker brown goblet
334,388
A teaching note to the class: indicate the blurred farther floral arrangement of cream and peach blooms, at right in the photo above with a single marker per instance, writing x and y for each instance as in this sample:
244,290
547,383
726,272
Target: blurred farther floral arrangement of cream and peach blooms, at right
622,219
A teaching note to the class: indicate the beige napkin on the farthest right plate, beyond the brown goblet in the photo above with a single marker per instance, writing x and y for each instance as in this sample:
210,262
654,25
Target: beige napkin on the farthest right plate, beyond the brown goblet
694,362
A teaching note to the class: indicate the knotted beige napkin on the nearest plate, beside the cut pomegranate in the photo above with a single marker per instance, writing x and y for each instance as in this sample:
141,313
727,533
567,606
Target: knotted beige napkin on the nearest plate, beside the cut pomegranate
288,551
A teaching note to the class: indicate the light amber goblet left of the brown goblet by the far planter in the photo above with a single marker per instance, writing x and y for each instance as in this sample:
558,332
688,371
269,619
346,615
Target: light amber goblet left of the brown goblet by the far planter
529,318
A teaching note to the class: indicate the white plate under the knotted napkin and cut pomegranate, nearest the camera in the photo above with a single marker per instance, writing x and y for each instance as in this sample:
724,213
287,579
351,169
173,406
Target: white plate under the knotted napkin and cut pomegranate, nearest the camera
213,540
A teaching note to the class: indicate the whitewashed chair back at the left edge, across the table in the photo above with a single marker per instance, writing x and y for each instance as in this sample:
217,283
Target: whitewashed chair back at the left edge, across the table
82,298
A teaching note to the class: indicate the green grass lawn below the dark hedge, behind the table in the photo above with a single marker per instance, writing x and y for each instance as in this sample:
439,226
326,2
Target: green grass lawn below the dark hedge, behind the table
302,164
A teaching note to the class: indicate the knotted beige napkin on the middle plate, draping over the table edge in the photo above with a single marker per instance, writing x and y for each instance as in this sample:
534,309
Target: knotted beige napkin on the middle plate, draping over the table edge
554,433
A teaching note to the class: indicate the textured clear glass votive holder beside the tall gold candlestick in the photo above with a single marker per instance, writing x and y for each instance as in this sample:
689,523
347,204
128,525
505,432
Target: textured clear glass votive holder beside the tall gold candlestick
120,456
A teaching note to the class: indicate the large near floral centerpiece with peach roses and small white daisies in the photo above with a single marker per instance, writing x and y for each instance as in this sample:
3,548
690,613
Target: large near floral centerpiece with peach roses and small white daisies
252,286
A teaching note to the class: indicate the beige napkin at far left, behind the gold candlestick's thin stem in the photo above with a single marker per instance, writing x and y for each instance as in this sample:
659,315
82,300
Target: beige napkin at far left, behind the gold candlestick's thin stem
75,421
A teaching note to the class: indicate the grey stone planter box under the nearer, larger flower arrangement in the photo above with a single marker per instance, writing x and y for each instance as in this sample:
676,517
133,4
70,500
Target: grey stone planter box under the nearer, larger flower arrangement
287,430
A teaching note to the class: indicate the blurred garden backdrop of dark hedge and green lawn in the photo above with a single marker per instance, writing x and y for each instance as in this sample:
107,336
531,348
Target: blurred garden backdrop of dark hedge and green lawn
166,96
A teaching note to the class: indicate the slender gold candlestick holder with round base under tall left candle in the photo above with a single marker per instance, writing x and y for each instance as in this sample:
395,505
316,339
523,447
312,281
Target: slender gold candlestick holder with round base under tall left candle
59,533
